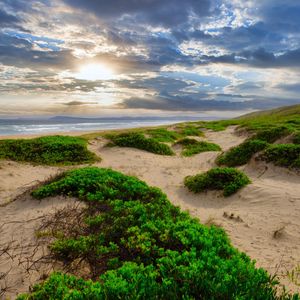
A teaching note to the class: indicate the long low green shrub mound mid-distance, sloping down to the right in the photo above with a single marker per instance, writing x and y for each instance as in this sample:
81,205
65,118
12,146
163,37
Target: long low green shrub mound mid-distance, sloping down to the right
139,141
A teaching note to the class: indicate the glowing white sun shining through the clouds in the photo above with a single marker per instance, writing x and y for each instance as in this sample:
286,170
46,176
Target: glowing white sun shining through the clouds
95,71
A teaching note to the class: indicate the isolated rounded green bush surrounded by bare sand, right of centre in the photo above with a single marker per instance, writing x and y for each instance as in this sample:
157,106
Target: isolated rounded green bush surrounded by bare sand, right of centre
227,179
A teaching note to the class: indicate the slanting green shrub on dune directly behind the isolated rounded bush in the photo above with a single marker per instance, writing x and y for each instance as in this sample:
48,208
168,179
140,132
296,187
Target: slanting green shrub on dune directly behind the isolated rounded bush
241,154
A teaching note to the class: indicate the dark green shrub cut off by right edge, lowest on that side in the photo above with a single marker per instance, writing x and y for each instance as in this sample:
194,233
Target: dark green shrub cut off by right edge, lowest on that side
285,155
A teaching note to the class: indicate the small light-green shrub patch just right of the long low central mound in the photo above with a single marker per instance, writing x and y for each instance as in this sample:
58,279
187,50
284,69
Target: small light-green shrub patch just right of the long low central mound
192,146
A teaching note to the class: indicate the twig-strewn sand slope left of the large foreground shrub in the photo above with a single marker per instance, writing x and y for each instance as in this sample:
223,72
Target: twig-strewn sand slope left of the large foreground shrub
18,225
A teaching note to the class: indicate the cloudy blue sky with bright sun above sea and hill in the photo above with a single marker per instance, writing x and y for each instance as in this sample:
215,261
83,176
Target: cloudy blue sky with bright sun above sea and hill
148,57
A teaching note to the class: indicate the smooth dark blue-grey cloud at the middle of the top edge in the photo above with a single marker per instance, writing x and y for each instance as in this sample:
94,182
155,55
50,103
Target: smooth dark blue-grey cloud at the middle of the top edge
157,12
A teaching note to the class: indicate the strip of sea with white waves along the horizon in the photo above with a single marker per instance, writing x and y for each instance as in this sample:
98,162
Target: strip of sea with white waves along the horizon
62,124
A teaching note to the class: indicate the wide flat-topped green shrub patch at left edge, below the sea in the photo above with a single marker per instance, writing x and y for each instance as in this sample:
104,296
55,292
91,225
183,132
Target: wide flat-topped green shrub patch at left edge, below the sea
49,150
